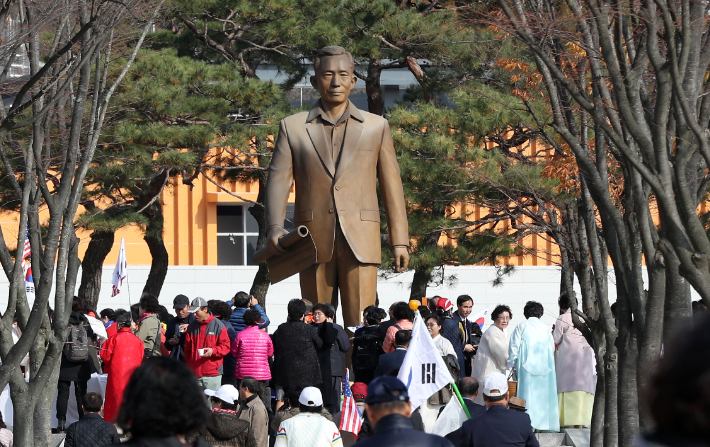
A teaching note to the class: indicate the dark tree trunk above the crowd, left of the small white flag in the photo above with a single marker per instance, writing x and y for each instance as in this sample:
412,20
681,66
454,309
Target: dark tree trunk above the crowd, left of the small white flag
92,266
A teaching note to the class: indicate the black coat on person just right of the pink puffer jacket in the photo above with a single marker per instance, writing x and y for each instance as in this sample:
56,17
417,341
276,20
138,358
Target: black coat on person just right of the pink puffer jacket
295,360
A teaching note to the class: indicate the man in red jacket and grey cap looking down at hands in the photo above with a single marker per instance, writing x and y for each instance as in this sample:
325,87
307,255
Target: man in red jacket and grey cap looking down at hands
206,344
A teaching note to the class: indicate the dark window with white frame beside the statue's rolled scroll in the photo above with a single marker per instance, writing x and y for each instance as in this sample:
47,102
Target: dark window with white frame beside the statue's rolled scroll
238,232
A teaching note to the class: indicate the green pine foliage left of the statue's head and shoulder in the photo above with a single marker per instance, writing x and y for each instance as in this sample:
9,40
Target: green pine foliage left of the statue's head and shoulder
169,113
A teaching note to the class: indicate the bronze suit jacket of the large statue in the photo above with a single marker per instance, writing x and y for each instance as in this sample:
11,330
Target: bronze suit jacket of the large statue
301,154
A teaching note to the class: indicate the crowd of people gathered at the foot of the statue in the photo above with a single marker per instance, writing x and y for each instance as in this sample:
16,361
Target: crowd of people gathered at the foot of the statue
212,375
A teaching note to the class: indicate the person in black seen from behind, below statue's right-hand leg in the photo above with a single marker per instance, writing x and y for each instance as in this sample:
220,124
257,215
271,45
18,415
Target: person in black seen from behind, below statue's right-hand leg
367,345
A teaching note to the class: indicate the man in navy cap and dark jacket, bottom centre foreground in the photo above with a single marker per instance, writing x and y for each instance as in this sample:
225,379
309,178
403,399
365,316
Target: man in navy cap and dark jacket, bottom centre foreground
388,409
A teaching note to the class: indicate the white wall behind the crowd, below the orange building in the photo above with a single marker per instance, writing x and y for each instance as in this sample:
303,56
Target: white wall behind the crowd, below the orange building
524,284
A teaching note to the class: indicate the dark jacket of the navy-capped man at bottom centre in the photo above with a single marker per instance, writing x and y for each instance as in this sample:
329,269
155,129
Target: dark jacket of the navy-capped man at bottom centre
396,430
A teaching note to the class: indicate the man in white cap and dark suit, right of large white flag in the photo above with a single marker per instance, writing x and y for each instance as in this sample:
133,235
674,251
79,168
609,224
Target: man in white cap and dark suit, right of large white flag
498,425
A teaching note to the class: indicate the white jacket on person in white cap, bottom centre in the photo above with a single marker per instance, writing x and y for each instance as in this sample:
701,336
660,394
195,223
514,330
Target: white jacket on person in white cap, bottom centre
308,430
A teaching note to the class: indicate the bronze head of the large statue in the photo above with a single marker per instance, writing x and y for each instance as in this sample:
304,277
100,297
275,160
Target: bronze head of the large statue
334,75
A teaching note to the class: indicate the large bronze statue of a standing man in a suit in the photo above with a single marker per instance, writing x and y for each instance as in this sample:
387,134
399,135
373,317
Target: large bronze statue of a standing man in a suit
336,154
